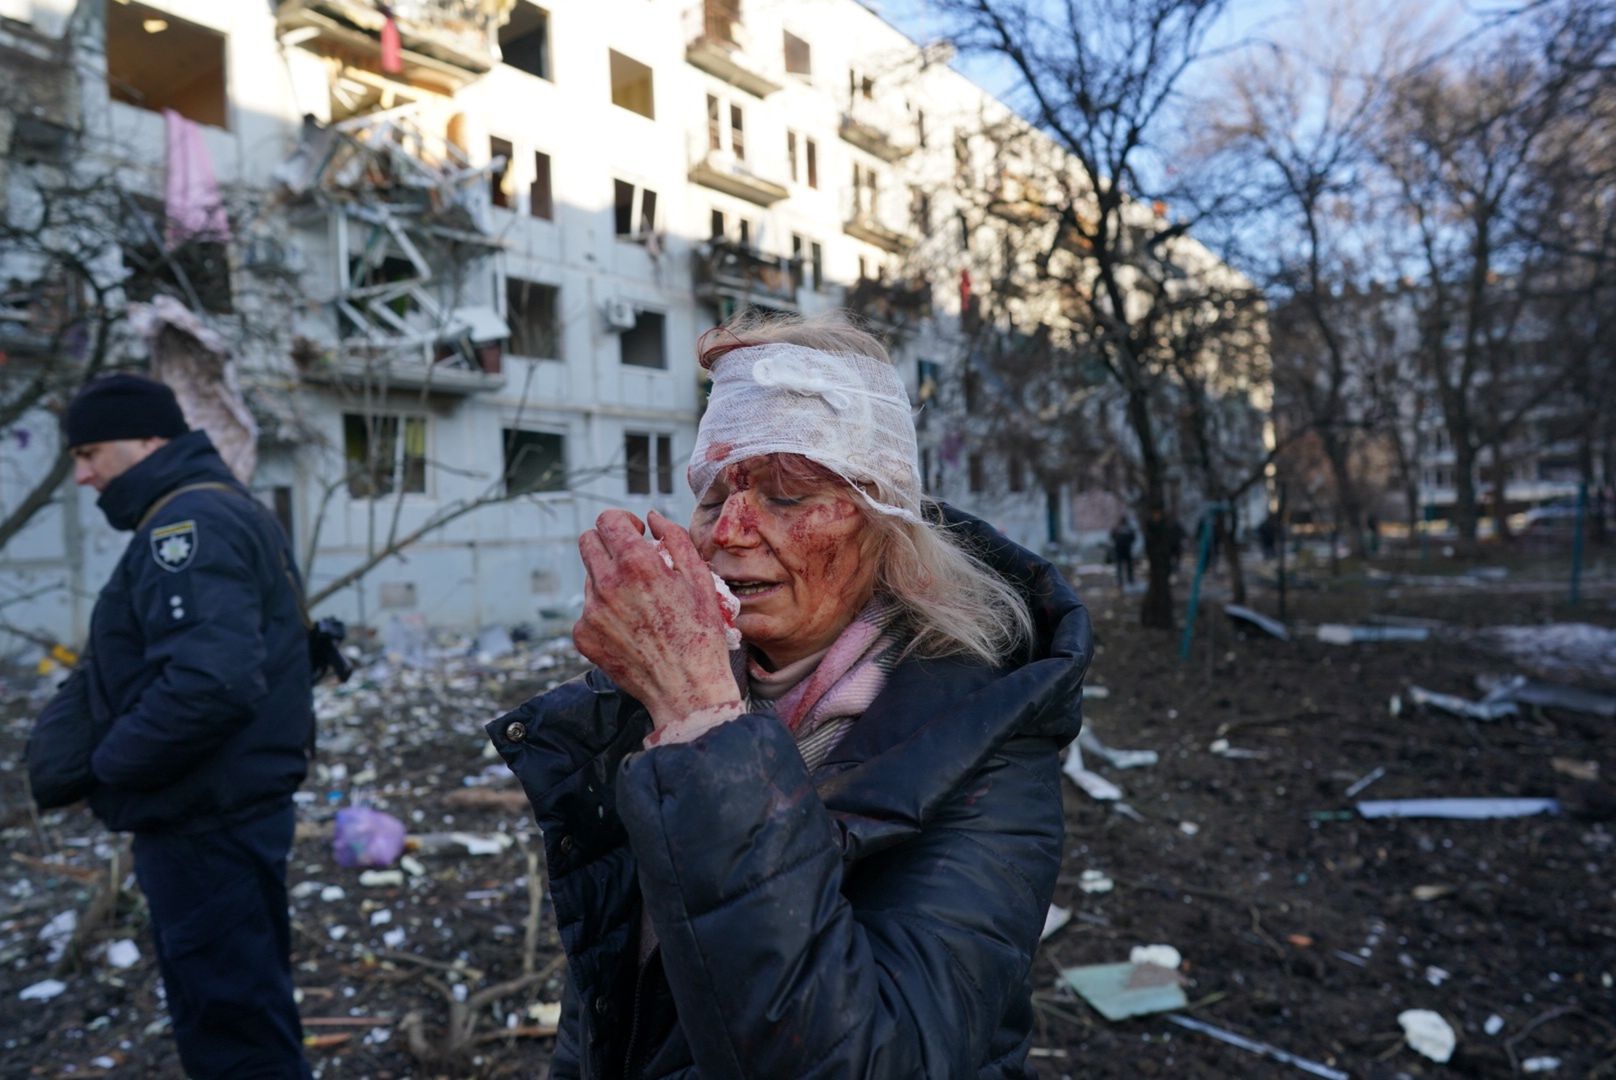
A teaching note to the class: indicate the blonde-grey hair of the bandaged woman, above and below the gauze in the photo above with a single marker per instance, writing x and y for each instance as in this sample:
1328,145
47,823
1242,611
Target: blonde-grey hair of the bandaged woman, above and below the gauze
953,602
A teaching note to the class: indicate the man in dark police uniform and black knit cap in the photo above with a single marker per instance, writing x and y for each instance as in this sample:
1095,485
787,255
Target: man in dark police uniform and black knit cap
198,672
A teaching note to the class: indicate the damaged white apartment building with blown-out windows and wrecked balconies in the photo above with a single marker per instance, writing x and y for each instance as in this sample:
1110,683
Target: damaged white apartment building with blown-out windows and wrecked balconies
442,266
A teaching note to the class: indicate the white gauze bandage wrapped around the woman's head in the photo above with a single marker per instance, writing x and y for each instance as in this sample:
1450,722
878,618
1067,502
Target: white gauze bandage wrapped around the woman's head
848,413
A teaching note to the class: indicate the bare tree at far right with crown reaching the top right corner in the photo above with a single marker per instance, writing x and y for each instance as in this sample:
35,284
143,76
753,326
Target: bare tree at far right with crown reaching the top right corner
1463,141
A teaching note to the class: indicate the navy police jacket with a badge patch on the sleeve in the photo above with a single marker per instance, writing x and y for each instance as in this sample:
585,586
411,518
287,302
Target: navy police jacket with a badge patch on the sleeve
198,654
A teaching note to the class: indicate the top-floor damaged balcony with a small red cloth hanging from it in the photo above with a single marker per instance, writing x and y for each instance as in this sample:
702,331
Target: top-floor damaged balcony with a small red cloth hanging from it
444,41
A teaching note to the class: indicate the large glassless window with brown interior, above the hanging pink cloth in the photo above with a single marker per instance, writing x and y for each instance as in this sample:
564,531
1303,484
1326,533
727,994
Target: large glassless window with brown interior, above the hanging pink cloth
156,61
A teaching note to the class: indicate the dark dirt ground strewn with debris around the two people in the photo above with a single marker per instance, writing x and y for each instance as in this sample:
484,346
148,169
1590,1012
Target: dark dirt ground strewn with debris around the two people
1302,926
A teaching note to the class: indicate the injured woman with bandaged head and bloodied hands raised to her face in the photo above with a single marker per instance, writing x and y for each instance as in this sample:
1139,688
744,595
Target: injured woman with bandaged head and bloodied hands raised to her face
828,850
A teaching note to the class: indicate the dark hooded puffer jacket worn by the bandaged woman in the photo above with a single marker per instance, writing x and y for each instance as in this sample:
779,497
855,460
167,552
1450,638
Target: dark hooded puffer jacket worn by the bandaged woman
877,919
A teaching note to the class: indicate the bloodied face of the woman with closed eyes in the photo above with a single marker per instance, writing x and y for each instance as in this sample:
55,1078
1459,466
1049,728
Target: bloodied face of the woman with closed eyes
793,544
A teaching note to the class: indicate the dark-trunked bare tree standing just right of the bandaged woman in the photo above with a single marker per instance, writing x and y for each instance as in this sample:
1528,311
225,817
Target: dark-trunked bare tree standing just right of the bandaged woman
1101,82
